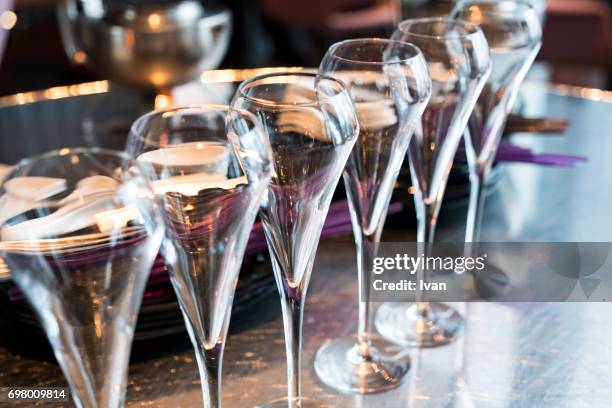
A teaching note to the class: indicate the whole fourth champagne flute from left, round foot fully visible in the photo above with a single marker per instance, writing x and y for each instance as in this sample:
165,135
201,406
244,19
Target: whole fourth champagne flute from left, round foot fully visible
390,86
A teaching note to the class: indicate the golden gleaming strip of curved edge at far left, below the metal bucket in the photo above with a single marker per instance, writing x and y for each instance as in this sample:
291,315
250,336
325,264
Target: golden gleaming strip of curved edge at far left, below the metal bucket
58,92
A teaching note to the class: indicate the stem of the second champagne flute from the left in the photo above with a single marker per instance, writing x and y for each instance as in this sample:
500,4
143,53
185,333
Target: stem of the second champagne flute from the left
209,363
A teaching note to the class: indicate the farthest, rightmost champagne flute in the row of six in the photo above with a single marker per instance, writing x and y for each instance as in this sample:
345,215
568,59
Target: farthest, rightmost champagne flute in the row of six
514,35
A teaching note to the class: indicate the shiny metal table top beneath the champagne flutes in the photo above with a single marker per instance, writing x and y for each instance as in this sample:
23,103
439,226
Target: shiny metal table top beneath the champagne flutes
510,355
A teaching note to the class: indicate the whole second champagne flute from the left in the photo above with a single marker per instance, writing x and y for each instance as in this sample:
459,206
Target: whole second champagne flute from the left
210,181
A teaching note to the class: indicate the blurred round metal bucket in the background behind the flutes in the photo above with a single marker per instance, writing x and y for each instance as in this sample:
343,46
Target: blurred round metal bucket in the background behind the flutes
146,43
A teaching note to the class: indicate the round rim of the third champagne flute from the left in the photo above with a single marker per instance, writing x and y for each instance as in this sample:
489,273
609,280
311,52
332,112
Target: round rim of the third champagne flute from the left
241,89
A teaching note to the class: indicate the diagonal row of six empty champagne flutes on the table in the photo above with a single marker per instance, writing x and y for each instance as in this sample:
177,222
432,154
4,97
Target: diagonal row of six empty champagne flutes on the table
281,146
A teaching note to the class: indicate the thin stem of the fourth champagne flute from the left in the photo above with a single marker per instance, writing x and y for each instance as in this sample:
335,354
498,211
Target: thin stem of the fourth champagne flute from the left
367,248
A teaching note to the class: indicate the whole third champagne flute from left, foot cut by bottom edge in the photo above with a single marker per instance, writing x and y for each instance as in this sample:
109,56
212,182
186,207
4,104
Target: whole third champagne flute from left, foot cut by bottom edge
312,126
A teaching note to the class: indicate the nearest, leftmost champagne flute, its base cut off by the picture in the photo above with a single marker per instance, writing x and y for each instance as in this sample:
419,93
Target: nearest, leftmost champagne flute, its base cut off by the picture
80,231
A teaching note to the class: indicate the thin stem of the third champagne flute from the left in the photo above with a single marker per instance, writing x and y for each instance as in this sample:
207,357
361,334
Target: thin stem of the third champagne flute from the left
293,313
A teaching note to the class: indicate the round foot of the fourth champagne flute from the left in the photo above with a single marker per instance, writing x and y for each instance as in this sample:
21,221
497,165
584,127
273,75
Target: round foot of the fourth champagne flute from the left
340,365
